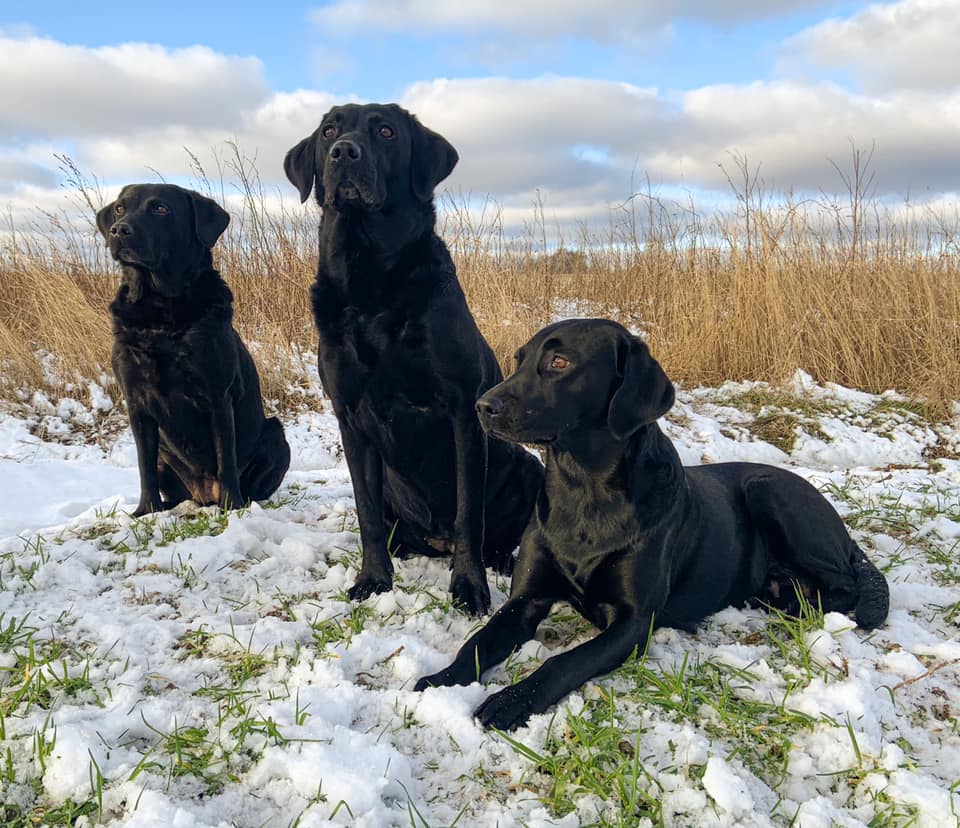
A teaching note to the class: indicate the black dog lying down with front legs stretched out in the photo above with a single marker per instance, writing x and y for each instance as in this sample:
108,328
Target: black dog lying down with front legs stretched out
629,536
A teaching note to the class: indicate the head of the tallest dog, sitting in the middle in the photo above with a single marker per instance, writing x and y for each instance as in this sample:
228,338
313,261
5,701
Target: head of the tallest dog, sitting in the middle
370,157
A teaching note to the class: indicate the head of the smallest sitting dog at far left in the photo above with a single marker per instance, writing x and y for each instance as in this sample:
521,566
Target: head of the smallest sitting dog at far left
163,230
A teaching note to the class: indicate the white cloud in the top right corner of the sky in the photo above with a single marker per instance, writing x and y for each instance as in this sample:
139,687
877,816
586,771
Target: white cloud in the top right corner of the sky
907,45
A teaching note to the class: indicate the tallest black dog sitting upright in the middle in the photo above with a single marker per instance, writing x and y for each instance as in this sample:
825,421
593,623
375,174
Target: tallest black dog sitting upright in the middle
401,356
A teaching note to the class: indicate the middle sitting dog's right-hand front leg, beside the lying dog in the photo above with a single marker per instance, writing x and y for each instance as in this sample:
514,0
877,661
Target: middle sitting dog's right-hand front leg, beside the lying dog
468,581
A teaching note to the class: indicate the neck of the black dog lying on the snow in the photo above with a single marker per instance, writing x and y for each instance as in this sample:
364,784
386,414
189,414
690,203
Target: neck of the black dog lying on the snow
646,464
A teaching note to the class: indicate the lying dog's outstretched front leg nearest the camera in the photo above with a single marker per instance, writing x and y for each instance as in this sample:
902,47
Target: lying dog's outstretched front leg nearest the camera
510,708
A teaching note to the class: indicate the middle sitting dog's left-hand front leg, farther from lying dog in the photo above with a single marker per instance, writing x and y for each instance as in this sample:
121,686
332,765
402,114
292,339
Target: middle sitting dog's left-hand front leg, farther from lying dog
366,474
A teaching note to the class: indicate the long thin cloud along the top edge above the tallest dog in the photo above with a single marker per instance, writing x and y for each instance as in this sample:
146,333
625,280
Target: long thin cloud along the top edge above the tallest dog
603,20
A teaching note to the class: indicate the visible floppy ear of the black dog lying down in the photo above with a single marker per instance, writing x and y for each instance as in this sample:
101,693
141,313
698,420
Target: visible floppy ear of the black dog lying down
645,391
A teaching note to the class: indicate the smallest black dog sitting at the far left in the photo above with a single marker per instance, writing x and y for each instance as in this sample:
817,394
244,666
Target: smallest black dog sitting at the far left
192,391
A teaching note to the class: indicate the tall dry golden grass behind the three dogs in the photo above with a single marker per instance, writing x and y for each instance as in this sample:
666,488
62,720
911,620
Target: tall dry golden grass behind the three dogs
849,290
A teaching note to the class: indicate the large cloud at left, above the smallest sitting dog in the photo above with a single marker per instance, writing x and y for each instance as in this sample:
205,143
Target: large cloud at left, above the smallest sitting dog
123,112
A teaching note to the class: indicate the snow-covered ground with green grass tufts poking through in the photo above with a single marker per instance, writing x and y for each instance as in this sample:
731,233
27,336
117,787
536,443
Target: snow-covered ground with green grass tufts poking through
205,669
